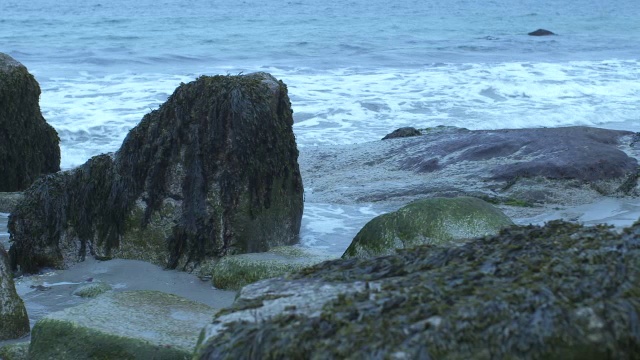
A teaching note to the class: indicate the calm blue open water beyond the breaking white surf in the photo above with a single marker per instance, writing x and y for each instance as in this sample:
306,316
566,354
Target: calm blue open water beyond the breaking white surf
171,36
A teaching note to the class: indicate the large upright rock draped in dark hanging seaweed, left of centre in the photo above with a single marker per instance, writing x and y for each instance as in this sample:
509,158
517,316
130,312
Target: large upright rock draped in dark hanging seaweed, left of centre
212,172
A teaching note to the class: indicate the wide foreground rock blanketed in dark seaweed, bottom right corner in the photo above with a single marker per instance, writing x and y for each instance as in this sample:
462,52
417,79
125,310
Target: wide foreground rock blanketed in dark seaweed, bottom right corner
561,291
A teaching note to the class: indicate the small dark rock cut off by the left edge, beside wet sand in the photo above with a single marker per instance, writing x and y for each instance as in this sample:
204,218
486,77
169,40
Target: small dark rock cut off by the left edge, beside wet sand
14,322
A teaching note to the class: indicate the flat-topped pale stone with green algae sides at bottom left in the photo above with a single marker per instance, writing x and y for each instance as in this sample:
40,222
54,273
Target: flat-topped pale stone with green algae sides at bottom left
125,325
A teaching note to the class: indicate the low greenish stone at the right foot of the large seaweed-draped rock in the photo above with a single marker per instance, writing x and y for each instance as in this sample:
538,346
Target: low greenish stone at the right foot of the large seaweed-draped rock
235,271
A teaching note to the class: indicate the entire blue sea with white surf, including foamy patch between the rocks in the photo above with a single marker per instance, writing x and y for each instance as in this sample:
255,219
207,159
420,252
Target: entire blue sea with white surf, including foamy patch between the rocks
356,69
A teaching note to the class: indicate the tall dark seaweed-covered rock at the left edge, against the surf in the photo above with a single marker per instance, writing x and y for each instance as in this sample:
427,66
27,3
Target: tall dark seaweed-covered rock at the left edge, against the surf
29,147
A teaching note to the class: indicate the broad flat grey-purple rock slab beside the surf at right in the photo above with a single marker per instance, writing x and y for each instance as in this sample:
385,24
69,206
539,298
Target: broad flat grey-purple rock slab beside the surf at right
568,166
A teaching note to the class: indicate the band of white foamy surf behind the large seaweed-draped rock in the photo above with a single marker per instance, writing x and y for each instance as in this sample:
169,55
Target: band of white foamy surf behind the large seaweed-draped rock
94,113
